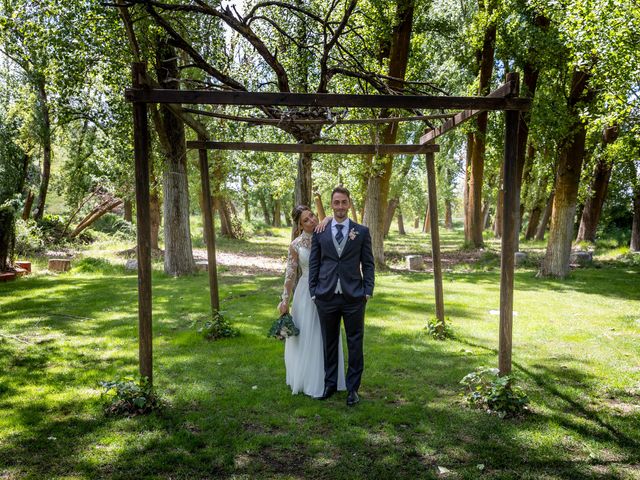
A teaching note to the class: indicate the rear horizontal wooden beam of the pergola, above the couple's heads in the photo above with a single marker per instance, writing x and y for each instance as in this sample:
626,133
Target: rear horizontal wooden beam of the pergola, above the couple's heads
314,148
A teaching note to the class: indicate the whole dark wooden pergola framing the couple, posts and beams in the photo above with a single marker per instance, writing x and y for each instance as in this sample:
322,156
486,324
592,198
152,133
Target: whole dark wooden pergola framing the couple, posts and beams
505,98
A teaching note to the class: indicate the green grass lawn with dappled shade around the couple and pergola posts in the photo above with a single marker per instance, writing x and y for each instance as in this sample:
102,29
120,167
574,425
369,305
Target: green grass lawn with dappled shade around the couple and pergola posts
230,414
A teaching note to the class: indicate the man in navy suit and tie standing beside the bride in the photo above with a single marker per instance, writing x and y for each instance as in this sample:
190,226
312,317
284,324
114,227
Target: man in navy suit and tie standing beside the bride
341,277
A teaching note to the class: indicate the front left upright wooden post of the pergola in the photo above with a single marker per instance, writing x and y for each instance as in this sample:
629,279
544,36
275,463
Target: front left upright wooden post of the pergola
143,217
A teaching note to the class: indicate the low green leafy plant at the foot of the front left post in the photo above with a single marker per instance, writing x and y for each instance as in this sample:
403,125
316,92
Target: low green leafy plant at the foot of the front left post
129,398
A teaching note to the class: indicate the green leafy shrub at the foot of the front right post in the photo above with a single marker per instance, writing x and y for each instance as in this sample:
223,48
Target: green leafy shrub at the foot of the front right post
486,390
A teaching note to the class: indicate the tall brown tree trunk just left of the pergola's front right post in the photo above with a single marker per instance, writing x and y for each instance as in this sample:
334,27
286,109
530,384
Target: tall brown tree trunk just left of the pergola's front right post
478,146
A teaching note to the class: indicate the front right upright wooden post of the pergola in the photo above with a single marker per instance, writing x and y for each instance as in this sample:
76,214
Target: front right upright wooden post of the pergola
508,232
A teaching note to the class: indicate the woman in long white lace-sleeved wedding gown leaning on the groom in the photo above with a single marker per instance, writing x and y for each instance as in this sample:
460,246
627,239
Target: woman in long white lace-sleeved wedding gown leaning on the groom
304,353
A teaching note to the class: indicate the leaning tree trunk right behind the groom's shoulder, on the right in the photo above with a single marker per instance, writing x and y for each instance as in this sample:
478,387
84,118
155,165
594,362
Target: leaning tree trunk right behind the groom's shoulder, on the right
379,182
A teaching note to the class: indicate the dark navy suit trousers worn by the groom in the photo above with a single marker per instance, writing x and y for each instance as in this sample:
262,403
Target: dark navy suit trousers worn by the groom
330,313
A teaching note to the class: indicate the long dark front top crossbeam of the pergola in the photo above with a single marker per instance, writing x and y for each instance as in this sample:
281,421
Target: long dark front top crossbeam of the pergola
323,99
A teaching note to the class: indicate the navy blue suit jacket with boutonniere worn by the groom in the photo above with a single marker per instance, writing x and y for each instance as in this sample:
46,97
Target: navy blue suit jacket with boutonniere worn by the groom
355,269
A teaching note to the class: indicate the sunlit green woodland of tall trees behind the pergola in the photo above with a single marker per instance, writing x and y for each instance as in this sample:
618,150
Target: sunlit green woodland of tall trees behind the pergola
66,152
